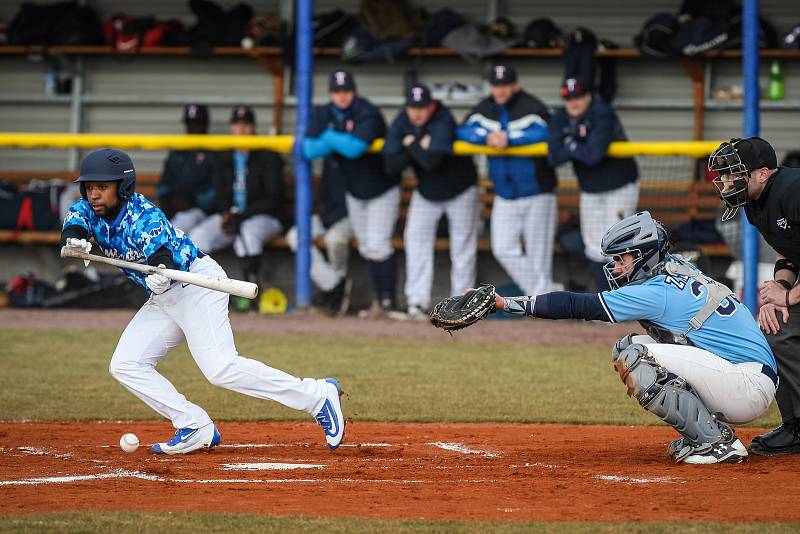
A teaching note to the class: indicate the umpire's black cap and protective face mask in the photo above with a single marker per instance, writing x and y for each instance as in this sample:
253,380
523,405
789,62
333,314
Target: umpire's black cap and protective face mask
731,164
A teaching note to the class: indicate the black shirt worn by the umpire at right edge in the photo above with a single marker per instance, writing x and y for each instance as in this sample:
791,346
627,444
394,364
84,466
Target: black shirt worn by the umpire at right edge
776,213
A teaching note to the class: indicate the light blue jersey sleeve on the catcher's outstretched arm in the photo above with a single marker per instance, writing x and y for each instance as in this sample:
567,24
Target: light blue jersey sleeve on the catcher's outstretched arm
636,302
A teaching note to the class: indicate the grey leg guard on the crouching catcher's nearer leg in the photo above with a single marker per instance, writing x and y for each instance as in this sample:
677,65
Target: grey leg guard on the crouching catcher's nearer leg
668,396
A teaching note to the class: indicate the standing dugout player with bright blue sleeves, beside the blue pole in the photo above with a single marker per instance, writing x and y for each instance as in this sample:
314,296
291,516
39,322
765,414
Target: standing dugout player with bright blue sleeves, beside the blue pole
341,132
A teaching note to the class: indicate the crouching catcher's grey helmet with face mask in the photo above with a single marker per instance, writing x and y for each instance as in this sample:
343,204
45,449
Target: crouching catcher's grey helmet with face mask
642,236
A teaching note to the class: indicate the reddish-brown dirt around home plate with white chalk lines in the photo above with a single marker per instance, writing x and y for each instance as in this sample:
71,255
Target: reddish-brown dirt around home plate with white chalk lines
476,471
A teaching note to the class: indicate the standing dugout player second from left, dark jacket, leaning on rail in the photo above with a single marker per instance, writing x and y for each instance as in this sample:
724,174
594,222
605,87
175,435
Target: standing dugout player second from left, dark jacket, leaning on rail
421,137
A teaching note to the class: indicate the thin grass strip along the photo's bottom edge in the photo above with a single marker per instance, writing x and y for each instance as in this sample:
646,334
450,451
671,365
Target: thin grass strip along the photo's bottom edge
122,522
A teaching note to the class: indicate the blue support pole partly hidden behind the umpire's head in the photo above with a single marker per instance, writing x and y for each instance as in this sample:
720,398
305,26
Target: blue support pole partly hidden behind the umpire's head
751,127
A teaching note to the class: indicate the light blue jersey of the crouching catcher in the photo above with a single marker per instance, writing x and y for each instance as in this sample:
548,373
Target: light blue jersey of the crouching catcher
672,301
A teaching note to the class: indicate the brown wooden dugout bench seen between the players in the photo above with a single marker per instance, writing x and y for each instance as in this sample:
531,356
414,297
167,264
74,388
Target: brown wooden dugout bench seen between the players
673,203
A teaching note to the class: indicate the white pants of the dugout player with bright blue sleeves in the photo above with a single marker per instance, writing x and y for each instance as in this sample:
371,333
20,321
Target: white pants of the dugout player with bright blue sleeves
373,222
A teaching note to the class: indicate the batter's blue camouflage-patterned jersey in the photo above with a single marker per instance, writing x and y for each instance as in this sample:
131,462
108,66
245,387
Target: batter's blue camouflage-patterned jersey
138,231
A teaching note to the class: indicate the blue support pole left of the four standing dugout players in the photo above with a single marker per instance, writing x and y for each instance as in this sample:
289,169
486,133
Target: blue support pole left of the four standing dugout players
304,69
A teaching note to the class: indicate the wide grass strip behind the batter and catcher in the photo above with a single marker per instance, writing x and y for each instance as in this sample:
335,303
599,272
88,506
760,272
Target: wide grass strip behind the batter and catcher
63,375
